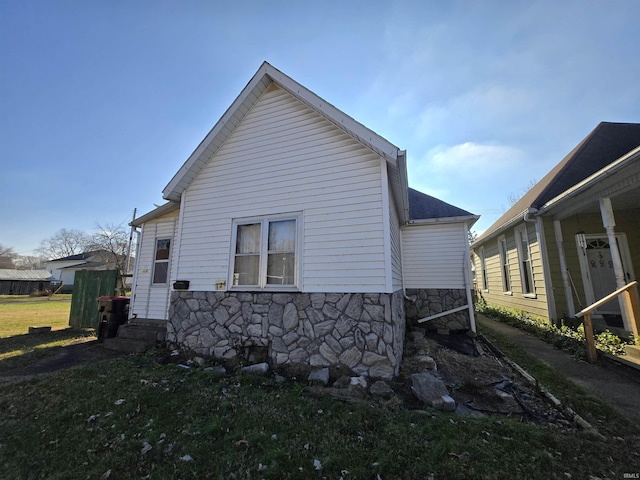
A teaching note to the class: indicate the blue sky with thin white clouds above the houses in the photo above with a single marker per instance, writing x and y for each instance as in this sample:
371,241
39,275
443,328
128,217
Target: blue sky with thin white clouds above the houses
102,101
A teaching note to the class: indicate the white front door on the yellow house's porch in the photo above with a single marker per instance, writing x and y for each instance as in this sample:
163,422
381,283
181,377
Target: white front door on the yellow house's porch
596,266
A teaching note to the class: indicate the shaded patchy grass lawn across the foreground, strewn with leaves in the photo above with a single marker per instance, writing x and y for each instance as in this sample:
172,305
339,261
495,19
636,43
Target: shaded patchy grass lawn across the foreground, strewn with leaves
134,418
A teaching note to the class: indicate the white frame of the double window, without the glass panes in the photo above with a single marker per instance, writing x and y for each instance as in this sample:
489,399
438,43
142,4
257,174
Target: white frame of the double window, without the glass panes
264,222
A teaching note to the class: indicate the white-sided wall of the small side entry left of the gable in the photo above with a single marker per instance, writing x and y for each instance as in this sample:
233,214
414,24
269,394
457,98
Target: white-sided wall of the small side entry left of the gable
151,301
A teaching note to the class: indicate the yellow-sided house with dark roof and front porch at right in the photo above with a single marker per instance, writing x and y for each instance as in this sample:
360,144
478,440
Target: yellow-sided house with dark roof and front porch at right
573,238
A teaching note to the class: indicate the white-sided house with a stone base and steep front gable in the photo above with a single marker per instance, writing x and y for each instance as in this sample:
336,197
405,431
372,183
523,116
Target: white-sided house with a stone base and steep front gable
291,228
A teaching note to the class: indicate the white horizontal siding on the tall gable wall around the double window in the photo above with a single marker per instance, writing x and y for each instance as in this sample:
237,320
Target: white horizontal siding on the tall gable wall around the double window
285,158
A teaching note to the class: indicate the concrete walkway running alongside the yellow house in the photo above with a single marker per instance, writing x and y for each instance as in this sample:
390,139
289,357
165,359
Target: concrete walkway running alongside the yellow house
615,384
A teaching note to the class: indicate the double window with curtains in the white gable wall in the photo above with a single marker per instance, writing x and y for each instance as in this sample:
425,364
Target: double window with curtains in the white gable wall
265,252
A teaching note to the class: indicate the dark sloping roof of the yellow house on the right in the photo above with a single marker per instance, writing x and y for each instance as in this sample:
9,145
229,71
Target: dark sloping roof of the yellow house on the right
604,145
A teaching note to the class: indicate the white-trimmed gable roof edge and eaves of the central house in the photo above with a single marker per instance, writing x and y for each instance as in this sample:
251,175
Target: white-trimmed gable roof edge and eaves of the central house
265,76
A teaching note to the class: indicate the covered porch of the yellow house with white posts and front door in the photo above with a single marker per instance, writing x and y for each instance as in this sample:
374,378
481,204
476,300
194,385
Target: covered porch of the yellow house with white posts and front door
593,242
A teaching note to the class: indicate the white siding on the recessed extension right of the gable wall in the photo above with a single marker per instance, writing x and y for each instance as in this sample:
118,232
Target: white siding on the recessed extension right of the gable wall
433,256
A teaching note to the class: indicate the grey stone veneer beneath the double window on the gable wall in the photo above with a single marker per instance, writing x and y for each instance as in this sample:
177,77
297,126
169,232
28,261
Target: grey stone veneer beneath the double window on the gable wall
364,332
